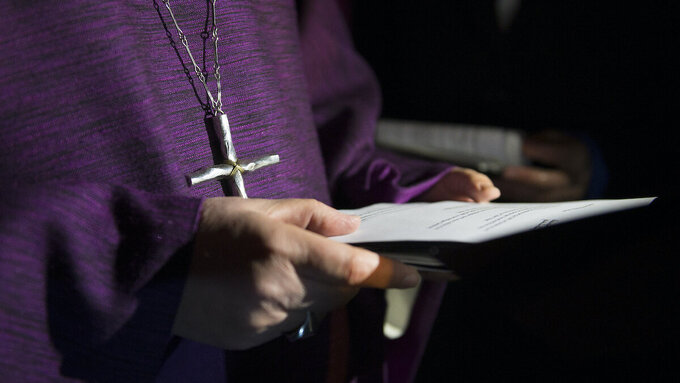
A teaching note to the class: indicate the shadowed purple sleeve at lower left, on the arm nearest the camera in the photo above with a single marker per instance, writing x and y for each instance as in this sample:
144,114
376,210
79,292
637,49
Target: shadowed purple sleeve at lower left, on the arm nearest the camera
91,278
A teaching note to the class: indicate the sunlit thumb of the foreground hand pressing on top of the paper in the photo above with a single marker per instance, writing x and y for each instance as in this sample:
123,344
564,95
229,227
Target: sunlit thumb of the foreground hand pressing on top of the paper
314,216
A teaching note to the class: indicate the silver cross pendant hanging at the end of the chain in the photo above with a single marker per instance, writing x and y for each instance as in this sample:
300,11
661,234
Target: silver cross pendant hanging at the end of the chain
230,166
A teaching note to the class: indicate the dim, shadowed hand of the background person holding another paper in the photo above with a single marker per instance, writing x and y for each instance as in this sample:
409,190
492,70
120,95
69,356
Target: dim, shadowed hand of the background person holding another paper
565,177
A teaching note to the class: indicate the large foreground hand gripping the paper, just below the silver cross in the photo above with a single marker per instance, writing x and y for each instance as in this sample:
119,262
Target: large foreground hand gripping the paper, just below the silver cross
260,265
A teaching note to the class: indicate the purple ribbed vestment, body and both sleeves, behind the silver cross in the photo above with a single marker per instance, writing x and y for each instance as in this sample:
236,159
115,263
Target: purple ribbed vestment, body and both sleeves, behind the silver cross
99,125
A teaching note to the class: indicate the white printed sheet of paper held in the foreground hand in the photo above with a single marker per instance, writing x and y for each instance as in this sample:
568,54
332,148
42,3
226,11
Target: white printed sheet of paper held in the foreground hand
471,222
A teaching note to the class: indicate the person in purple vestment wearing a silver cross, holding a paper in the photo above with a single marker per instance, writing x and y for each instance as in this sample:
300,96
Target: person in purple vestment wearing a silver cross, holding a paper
99,233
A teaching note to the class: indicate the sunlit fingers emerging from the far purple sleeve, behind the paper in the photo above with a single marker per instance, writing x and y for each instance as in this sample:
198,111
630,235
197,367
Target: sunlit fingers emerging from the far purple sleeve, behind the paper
462,184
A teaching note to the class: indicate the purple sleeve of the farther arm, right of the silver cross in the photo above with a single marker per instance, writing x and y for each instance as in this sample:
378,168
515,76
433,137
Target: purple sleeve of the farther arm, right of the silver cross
346,105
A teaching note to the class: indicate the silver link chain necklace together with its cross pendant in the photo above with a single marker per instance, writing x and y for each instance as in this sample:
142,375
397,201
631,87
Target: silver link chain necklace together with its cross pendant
228,167
